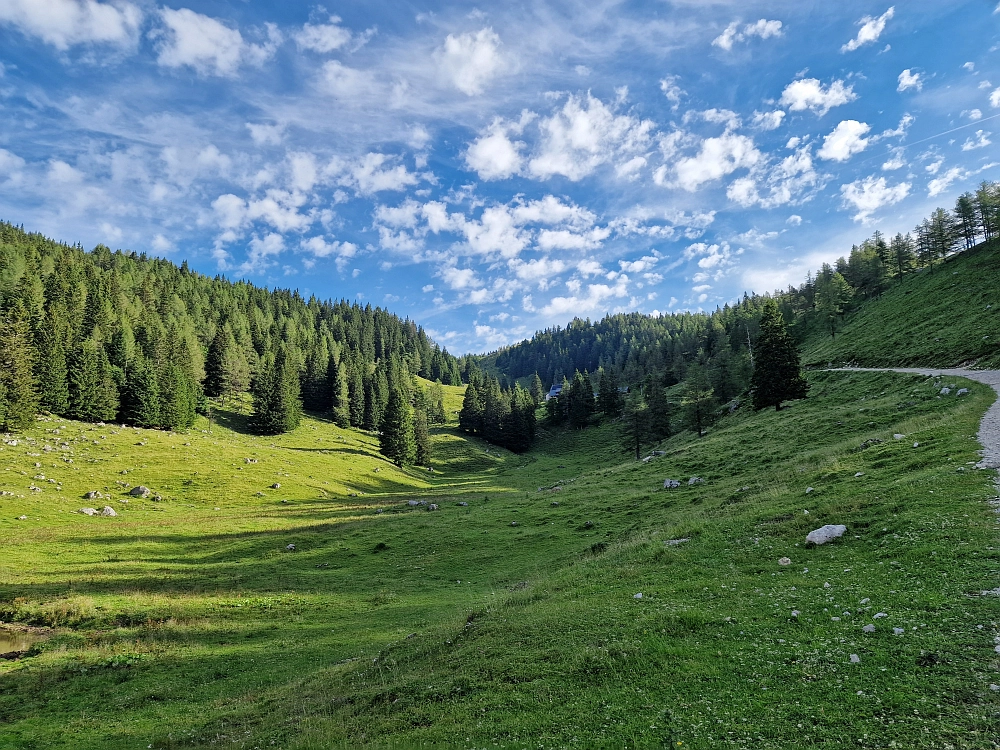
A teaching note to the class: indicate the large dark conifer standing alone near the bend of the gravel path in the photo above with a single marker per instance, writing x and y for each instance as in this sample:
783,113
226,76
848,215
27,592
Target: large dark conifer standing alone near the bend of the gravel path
777,374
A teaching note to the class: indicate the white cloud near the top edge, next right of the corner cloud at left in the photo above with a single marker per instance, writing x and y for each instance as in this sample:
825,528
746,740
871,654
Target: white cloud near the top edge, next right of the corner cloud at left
207,45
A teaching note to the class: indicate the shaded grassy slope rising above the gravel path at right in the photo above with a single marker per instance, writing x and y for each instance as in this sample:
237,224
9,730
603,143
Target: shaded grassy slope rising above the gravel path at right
941,318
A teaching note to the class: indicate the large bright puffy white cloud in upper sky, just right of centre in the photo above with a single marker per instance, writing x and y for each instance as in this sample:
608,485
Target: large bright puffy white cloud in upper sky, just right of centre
584,134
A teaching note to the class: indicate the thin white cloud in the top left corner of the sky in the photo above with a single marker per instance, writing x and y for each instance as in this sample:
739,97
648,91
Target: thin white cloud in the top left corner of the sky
64,23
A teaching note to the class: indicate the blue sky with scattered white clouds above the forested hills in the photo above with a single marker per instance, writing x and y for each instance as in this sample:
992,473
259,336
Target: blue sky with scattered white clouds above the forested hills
489,172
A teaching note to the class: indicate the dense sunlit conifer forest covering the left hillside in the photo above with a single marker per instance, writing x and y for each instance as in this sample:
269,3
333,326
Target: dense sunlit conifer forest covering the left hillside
105,335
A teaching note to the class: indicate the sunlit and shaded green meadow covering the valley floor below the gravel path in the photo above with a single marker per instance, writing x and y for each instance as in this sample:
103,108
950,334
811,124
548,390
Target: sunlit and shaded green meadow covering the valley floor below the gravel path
179,625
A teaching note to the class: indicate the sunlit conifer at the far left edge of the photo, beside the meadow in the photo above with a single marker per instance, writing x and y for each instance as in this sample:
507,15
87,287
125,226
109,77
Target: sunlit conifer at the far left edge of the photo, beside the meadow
18,394
